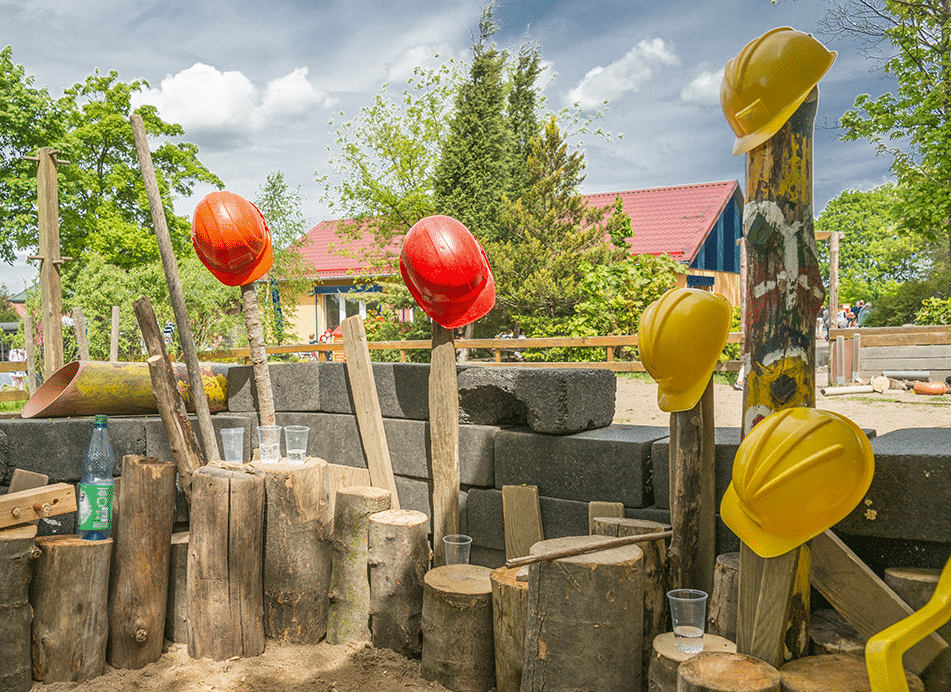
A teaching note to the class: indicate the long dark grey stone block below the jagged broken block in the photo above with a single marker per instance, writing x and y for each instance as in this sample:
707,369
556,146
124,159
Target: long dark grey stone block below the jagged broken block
610,464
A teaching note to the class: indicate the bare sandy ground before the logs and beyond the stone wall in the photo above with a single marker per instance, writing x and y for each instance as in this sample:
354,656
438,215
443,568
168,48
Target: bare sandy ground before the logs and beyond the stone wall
359,667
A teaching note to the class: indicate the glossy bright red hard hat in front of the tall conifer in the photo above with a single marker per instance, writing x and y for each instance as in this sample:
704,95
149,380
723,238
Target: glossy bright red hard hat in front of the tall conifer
446,270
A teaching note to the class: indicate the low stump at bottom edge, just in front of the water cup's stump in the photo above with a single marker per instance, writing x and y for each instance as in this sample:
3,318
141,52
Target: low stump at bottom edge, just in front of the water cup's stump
725,672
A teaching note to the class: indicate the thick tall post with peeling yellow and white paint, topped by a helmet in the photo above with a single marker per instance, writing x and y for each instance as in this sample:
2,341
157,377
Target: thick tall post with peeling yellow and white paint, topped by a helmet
783,295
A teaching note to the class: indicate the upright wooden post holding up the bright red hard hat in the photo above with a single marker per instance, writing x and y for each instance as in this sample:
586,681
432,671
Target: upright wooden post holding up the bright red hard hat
444,437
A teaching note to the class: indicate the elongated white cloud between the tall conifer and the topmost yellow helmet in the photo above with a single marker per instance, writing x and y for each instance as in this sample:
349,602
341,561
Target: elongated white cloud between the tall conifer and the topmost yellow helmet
626,74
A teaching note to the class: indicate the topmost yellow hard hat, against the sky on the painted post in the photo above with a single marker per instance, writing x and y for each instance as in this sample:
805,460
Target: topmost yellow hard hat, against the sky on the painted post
769,79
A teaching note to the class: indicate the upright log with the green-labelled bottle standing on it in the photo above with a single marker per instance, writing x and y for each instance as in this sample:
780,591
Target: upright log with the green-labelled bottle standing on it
70,615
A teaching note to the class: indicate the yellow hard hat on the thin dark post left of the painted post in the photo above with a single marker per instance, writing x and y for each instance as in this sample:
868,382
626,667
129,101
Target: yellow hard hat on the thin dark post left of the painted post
680,337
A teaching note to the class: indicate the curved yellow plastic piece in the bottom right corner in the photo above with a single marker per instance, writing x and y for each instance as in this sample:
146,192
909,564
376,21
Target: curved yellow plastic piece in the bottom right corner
884,650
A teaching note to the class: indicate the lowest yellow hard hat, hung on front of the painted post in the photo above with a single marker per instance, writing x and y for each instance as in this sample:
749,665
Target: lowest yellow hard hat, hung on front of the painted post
797,473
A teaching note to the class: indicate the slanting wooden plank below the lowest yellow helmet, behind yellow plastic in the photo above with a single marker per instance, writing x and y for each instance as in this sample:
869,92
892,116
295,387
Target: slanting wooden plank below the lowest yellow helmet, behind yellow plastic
863,599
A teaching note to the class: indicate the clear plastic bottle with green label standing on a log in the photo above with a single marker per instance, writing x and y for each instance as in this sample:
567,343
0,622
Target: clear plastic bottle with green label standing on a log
96,486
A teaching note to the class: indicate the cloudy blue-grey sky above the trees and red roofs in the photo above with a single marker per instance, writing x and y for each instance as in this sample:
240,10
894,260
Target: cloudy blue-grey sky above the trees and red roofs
256,84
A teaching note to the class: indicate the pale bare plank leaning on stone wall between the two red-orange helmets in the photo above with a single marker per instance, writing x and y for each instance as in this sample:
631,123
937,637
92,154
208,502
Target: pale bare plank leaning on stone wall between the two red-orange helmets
366,403
